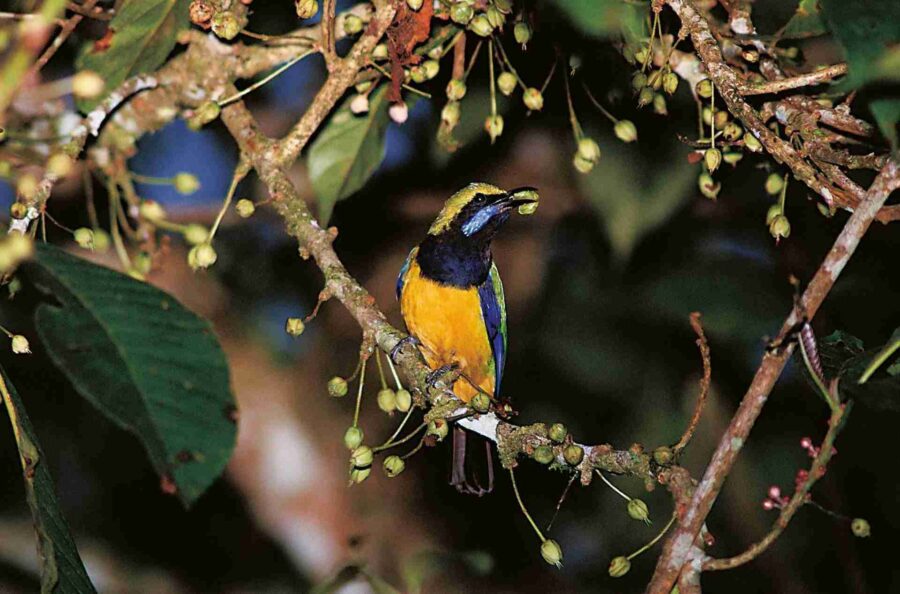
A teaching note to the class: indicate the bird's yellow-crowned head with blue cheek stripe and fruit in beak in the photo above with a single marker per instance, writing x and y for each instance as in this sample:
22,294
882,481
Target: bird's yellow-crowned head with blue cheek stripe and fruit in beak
475,213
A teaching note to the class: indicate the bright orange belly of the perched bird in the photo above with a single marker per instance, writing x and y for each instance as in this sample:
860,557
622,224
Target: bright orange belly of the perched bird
449,324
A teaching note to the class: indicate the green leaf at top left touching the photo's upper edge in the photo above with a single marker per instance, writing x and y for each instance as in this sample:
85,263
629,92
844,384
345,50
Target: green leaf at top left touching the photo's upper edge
141,36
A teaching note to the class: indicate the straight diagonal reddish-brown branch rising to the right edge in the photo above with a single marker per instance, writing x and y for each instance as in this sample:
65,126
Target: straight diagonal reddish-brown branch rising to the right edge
676,549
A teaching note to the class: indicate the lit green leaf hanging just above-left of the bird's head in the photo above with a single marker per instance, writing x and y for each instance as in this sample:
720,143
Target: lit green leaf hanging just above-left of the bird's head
348,151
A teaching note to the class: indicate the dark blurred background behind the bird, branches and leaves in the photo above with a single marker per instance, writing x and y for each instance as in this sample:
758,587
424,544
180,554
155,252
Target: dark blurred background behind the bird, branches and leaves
599,286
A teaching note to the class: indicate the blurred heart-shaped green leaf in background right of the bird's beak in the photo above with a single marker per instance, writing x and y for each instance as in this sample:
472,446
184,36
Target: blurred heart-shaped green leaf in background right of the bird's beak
633,196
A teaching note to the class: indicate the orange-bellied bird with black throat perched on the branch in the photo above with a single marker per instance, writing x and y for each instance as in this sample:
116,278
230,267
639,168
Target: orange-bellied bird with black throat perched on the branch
451,299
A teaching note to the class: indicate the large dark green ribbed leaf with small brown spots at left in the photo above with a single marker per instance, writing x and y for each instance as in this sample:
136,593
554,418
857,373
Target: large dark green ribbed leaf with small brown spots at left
147,363
